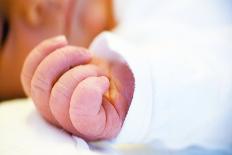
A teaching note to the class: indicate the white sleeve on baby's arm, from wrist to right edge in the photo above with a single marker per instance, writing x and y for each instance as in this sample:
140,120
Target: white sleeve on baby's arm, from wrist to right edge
189,103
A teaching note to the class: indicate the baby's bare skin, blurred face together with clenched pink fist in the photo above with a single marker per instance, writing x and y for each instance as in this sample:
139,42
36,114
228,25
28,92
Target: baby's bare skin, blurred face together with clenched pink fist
71,88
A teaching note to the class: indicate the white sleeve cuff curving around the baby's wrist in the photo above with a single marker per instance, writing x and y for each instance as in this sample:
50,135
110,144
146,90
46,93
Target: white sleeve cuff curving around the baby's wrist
138,119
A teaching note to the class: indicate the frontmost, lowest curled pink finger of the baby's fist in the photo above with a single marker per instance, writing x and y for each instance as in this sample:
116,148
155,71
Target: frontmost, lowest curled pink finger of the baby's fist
86,112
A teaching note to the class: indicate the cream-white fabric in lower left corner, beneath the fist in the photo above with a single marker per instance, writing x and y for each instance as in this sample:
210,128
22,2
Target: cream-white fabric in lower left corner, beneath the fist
23,131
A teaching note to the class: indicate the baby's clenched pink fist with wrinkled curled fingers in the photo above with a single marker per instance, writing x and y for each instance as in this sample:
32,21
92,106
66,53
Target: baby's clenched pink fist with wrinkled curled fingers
73,91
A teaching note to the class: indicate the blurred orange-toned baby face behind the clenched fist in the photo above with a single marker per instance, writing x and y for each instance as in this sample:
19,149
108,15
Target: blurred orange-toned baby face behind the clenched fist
25,23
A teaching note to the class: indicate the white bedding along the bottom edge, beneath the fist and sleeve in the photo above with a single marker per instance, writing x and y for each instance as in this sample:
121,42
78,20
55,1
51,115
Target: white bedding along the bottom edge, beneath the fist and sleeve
24,132
